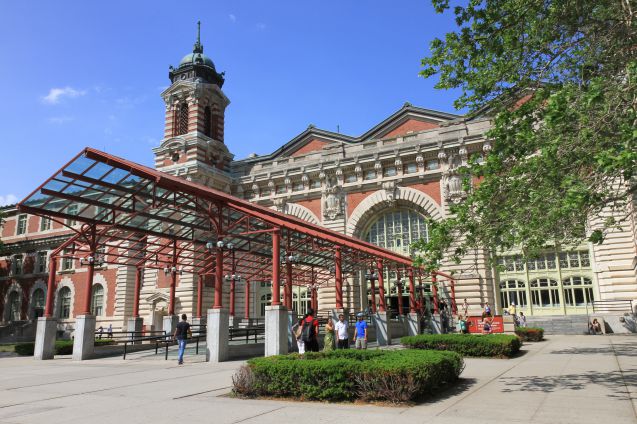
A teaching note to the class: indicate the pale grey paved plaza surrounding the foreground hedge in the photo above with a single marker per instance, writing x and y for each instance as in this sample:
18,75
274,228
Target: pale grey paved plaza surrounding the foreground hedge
566,379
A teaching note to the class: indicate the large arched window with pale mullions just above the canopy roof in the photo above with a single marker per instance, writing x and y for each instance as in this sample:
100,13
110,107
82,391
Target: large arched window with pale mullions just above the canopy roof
397,229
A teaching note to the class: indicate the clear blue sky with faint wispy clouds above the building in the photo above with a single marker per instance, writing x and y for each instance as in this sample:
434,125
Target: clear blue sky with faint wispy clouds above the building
84,73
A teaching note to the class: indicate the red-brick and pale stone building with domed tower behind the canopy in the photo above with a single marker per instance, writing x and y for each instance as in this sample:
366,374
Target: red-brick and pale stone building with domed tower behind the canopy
381,186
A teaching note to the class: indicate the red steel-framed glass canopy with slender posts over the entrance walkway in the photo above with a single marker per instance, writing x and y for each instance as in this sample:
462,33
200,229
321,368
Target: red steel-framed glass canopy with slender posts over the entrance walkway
134,215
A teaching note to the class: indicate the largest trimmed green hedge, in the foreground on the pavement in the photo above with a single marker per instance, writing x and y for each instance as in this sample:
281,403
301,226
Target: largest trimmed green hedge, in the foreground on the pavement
346,375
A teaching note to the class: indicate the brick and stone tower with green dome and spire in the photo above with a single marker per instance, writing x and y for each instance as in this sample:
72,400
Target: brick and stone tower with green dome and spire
193,145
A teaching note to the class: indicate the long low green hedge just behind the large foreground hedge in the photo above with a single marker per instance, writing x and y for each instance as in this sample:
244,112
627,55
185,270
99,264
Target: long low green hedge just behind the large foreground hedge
489,345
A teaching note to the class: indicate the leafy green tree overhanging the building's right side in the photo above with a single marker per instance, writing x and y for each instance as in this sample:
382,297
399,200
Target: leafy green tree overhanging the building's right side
558,77
